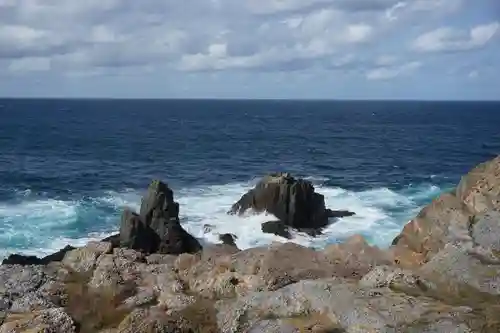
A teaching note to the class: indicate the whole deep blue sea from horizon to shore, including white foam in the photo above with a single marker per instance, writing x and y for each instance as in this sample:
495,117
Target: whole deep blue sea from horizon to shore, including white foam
69,167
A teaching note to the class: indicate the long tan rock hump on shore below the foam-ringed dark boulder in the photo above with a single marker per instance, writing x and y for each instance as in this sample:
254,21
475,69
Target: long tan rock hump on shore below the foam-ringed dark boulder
230,274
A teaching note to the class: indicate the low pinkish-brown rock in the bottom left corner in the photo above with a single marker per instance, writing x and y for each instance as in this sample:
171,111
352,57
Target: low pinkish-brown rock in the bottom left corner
50,320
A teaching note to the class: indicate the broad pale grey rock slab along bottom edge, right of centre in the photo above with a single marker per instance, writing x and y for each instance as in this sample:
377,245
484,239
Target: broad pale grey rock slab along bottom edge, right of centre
353,309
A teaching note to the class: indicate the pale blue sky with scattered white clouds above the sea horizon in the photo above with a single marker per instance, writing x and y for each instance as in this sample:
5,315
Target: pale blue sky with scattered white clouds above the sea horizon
284,49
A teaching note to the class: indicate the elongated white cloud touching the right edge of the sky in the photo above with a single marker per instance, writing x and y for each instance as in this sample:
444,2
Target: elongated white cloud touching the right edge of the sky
449,39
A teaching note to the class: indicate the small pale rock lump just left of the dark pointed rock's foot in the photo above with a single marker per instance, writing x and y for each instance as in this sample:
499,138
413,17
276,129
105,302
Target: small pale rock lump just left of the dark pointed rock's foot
84,259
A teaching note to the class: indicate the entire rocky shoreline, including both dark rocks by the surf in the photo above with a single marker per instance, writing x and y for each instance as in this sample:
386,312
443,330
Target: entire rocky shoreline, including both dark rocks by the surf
441,274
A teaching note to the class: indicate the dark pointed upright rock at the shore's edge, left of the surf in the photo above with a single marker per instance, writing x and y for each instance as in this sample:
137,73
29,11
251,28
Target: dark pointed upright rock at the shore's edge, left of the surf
157,228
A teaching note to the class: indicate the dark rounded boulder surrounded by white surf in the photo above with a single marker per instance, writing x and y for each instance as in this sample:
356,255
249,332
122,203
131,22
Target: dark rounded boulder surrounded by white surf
293,201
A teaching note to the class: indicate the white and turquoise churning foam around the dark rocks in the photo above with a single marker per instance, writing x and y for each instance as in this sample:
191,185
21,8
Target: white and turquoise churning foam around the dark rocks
40,225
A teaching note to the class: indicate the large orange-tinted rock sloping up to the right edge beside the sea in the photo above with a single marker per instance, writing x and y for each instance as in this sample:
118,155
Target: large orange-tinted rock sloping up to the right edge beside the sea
449,217
